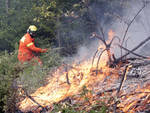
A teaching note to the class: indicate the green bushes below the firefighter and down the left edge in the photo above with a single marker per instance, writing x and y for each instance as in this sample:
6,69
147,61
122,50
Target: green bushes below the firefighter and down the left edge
14,74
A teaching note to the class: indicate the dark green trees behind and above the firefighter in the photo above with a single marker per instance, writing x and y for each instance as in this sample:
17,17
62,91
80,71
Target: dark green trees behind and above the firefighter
61,23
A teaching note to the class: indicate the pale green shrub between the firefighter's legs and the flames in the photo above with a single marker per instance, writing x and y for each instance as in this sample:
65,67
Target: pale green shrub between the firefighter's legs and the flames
33,76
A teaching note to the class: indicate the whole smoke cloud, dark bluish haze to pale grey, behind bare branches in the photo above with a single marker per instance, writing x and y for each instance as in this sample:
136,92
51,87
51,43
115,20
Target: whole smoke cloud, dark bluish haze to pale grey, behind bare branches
115,15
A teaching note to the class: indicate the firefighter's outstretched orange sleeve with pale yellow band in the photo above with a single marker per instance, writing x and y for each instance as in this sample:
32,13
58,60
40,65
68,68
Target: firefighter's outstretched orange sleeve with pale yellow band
32,47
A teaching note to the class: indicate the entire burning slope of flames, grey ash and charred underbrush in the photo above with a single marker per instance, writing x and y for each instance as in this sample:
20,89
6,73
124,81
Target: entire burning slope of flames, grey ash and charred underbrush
84,88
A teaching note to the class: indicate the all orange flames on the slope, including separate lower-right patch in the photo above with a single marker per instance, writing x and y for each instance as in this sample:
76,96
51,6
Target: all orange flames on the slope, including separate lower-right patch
81,75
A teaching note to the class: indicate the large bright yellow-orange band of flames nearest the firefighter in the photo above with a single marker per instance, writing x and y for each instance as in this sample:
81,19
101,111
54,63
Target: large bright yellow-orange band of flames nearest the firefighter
57,89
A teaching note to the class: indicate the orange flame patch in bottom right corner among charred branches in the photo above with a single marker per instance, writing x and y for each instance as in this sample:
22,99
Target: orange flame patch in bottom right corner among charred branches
130,102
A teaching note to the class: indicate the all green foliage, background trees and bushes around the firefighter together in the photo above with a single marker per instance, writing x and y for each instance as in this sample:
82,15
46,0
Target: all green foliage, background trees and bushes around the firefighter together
62,24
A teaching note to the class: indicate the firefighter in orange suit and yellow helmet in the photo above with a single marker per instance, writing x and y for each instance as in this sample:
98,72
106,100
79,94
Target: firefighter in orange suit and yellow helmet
27,47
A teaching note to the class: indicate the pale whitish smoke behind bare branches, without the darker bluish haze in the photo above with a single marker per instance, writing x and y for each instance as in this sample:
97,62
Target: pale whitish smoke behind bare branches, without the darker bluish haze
138,30
